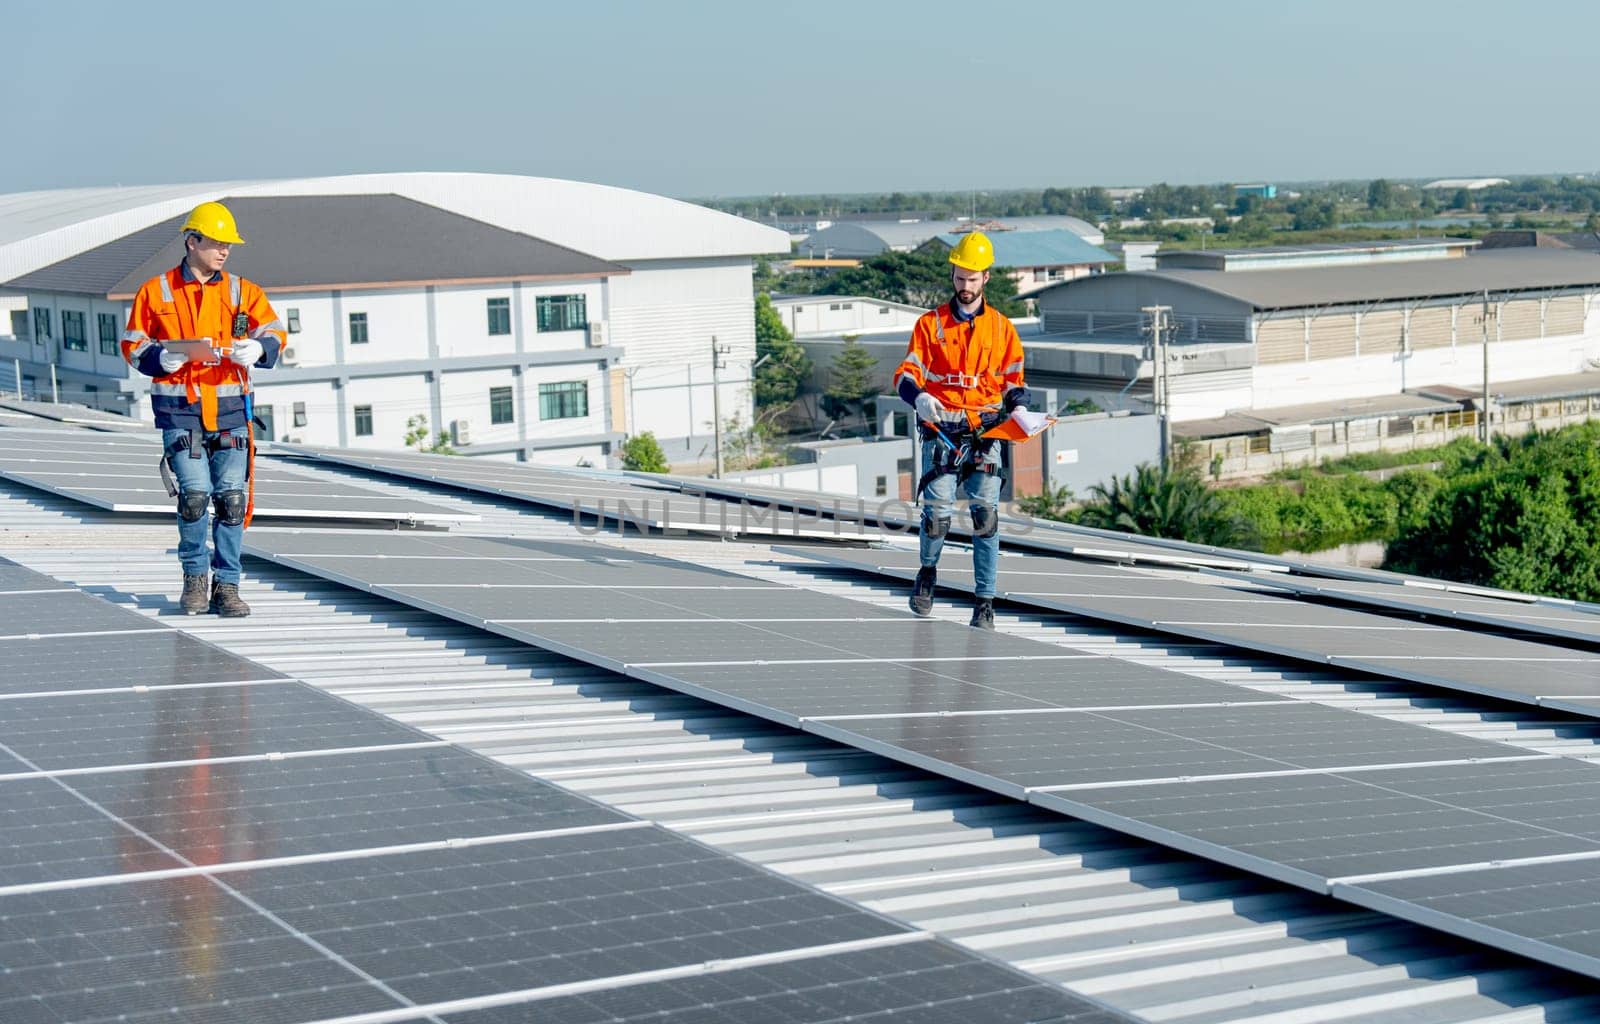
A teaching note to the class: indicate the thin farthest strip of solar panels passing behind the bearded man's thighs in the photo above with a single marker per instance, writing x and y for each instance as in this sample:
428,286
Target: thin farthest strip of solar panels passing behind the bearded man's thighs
1022,532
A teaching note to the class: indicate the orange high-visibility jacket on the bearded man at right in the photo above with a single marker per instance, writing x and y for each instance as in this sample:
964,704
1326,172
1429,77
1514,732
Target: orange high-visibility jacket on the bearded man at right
967,367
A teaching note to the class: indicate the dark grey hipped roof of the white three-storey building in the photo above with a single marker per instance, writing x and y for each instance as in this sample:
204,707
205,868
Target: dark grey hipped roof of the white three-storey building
329,242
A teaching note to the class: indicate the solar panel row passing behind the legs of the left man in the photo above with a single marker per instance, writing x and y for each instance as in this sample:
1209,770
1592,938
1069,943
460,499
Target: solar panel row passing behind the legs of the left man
121,474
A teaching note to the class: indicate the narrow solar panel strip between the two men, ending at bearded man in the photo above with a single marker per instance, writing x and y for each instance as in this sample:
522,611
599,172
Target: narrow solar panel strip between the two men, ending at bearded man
606,497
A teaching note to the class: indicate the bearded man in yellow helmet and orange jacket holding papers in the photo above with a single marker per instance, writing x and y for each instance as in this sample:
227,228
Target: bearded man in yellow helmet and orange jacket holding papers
964,375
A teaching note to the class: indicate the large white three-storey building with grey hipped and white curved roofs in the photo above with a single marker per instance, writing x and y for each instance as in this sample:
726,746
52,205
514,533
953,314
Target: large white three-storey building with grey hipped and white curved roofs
527,318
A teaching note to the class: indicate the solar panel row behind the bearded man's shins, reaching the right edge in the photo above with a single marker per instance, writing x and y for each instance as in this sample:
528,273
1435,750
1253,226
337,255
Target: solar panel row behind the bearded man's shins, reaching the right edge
1436,655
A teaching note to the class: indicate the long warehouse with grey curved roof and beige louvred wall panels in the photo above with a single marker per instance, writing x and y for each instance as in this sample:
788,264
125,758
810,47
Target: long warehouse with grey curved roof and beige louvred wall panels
1266,340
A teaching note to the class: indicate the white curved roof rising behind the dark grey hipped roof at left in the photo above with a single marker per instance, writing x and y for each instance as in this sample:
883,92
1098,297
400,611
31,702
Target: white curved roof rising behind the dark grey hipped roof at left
618,225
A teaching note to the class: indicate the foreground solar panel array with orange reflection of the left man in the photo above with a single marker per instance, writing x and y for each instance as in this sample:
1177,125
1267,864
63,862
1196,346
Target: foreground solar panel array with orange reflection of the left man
194,838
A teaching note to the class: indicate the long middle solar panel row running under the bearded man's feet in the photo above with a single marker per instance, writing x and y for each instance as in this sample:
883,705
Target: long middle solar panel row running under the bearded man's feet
1322,798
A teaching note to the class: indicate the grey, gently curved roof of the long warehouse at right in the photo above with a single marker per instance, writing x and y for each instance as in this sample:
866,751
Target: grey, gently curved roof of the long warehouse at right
1500,271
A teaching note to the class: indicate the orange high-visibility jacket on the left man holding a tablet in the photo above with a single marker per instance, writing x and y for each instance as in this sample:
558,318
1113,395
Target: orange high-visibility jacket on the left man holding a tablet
177,306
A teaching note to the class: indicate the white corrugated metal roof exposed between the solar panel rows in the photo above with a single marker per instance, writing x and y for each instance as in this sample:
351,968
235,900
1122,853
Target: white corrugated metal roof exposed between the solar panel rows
1167,937
